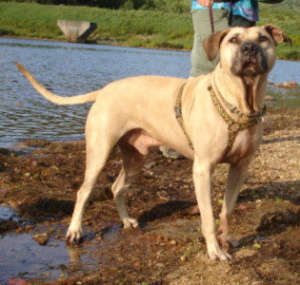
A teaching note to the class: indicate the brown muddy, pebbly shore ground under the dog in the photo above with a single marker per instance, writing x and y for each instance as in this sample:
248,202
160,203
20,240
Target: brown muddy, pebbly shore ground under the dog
40,180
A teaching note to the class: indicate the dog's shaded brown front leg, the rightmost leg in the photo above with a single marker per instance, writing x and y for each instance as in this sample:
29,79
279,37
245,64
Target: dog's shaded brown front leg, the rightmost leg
236,177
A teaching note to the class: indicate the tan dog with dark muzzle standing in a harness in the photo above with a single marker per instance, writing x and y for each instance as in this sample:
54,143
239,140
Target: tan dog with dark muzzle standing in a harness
222,123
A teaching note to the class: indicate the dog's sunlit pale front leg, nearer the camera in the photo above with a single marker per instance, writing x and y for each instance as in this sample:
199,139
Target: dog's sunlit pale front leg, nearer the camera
202,175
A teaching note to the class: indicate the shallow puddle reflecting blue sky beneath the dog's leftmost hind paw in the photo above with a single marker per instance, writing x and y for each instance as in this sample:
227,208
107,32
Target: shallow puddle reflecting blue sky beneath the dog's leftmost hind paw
23,257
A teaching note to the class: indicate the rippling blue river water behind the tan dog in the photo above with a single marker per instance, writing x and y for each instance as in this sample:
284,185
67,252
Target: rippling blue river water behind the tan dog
71,69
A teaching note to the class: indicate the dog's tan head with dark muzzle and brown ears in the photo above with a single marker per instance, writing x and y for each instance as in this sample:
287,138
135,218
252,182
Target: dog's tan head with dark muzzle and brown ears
245,51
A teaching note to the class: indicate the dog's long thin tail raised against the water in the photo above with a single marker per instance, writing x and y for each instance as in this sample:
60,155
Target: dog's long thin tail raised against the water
79,99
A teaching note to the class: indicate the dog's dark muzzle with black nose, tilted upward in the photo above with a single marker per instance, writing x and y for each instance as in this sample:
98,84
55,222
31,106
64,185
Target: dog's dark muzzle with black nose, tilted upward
250,60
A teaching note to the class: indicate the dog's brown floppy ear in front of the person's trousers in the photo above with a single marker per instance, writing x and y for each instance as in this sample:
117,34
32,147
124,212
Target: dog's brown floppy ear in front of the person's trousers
212,44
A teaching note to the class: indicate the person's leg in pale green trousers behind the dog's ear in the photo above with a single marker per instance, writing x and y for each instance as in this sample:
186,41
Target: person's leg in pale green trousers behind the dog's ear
201,22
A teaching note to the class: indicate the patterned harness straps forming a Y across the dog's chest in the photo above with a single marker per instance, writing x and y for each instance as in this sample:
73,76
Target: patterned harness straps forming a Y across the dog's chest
234,127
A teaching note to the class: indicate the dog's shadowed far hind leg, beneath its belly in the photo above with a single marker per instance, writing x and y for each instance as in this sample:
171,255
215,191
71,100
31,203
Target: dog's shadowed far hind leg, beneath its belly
132,164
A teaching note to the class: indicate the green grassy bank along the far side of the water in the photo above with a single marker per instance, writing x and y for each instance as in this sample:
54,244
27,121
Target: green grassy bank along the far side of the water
139,28
